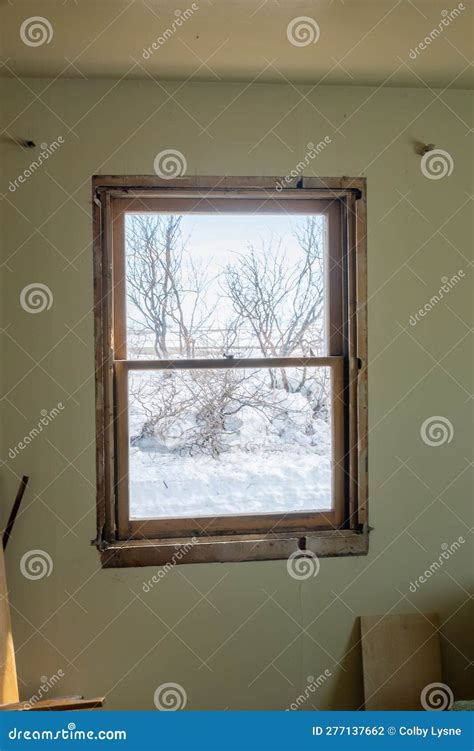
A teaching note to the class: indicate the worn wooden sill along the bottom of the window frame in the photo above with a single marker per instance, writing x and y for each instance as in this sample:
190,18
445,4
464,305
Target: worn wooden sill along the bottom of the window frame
232,549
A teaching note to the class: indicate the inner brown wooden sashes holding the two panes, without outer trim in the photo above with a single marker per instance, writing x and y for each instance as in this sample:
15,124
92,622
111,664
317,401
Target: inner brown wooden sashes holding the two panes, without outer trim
335,337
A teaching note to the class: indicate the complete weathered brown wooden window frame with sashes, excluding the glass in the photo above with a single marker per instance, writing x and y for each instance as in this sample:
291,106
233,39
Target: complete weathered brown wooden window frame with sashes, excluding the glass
341,531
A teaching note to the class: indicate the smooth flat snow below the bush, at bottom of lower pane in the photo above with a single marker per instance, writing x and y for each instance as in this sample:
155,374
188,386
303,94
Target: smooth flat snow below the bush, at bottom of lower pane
239,482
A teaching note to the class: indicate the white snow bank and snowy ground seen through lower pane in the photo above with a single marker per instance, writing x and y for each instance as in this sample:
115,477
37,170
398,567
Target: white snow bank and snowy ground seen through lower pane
271,460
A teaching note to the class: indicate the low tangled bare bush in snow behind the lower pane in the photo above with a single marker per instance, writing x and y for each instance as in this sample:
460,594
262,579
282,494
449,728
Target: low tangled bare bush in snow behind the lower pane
202,411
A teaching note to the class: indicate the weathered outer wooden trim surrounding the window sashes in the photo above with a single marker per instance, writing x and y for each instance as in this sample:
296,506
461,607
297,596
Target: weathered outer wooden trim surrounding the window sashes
121,191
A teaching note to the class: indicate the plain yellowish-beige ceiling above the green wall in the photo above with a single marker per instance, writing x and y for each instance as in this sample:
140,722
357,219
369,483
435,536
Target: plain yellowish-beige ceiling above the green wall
351,42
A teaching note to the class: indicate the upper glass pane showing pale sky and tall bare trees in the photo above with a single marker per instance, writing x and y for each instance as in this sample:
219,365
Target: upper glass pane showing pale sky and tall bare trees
206,286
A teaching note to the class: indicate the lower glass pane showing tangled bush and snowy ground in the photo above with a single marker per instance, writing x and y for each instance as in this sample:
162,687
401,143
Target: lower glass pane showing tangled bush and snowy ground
229,441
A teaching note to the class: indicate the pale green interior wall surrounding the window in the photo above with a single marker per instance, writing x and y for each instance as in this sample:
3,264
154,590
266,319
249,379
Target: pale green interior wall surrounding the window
236,635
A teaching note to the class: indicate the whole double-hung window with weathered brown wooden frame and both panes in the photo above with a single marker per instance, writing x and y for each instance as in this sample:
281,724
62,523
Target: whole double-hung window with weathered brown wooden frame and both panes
231,368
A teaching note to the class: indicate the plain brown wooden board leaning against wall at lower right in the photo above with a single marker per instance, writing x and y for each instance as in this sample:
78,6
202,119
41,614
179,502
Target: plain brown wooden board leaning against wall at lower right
400,656
